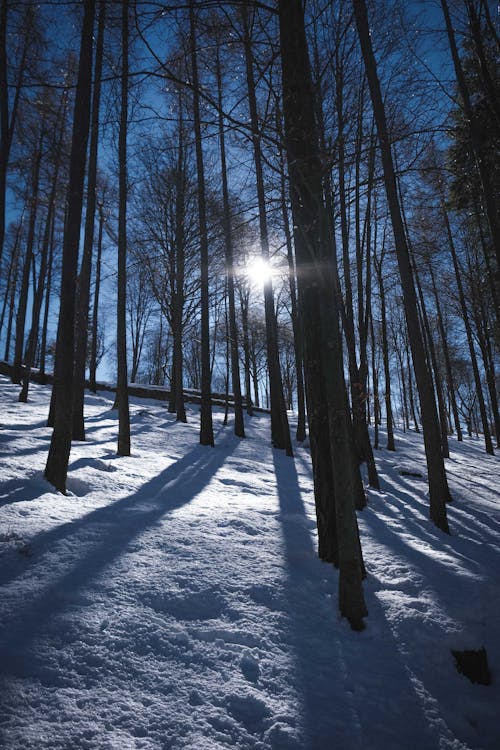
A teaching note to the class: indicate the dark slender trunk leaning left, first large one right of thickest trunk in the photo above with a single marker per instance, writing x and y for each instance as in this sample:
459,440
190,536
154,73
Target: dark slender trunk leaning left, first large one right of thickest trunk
438,486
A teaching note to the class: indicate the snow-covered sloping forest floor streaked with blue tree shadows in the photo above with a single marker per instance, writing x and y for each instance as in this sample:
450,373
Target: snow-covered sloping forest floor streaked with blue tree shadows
173,599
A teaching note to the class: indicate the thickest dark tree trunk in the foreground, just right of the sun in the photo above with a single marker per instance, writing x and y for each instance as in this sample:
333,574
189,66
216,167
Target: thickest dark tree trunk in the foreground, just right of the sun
333,460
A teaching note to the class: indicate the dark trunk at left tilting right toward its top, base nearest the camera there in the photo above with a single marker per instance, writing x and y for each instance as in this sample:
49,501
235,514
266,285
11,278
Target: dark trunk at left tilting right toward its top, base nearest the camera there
57,462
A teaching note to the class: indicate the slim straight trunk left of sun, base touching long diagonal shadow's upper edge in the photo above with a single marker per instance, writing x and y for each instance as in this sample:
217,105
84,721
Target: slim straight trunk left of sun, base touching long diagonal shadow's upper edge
206,426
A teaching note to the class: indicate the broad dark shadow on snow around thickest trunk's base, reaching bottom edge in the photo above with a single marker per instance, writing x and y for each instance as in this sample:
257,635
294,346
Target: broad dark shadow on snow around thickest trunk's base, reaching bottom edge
331,660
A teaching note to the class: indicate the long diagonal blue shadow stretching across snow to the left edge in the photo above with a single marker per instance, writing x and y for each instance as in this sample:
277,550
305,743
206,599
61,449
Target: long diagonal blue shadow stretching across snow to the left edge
105,533
